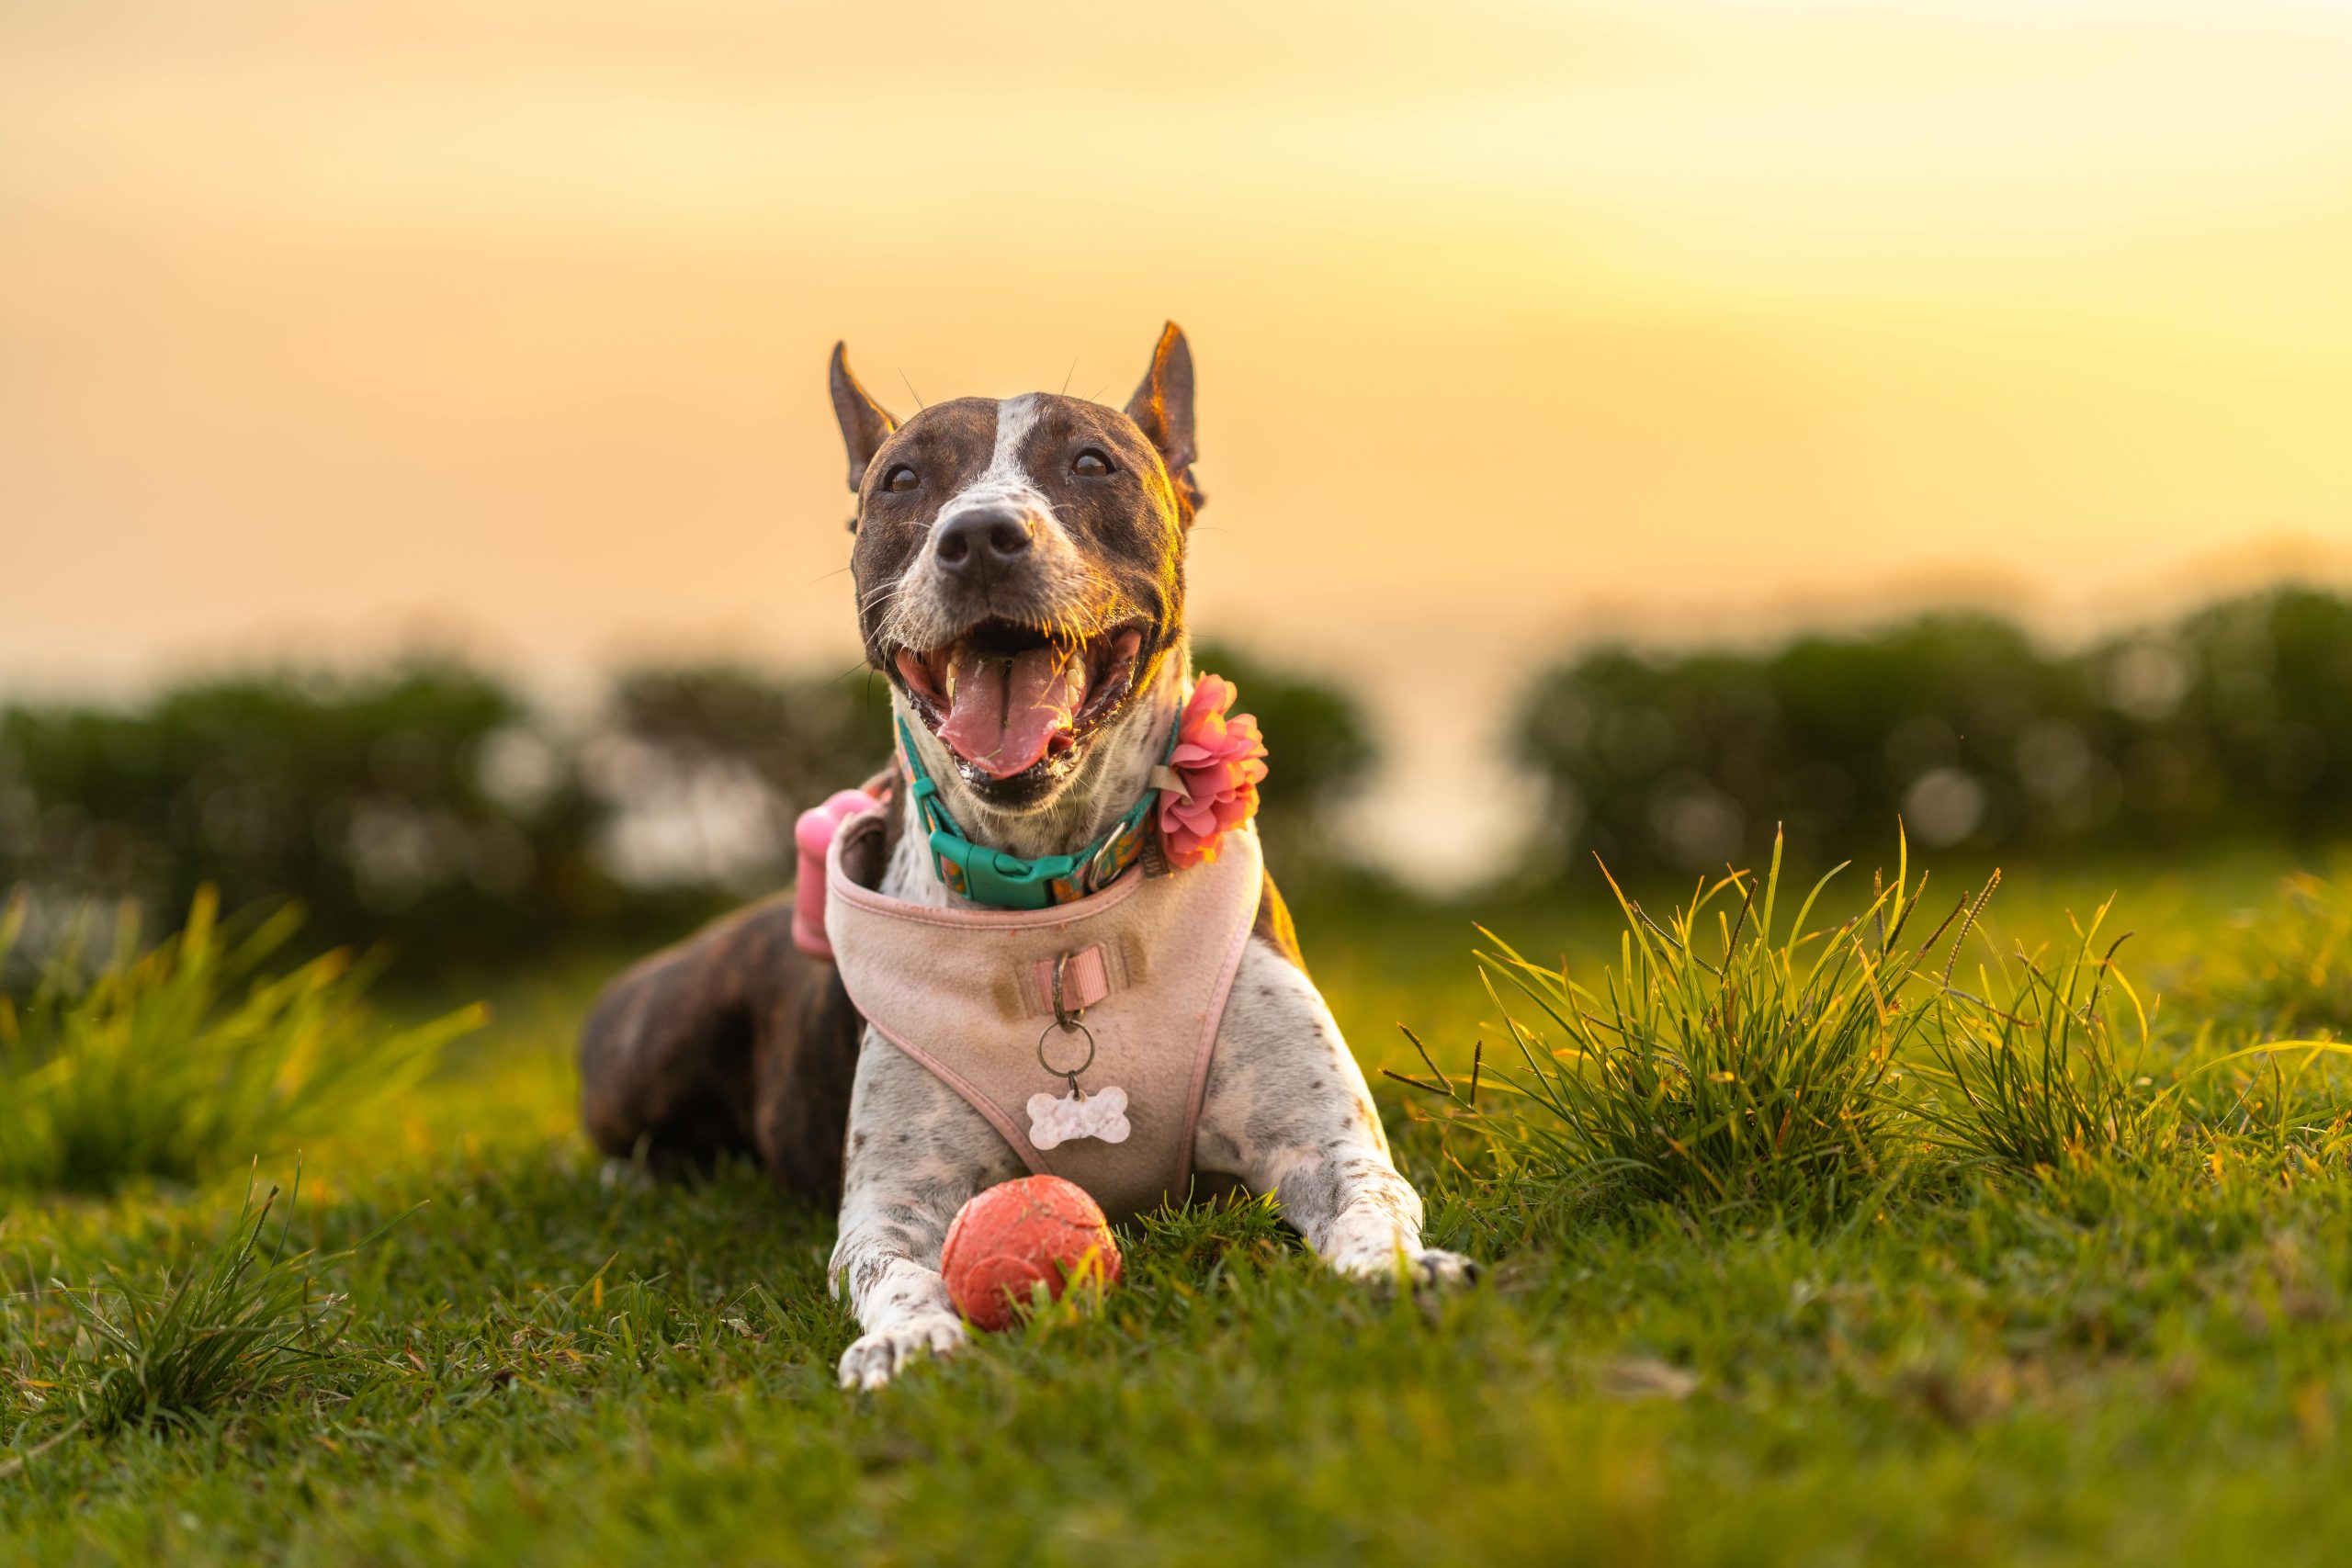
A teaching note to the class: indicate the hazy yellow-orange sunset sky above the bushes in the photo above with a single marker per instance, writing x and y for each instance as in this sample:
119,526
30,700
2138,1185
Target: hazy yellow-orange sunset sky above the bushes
330,328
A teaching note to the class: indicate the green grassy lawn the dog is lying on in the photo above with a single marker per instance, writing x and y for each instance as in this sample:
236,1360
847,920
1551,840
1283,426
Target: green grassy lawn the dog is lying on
2141,1353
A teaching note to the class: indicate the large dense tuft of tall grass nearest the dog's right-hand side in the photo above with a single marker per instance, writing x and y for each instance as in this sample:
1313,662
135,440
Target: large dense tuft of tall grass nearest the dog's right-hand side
1725,1059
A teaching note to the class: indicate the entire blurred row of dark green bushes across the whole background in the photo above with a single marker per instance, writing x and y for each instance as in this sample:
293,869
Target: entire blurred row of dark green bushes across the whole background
434,808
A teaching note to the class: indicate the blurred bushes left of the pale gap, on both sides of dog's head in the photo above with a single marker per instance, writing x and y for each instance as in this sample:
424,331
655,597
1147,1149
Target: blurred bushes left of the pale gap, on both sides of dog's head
434,808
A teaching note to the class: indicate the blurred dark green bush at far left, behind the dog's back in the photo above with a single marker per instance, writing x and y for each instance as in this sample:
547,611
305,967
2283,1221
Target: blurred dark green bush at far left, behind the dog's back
420,805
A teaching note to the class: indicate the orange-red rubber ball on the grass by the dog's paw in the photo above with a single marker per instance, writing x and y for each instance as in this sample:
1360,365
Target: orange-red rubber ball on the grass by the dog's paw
1020,1235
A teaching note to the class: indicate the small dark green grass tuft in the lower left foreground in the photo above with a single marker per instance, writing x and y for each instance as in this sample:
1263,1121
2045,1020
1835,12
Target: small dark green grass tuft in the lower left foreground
241,1320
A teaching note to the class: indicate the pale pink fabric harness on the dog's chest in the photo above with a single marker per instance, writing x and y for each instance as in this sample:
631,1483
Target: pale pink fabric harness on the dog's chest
1144,970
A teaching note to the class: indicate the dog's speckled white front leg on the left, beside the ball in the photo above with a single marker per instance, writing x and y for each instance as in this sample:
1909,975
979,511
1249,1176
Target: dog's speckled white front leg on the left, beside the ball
916,1155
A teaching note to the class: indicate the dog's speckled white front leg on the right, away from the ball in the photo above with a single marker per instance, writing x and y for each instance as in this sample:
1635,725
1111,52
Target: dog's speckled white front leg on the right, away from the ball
1290,1113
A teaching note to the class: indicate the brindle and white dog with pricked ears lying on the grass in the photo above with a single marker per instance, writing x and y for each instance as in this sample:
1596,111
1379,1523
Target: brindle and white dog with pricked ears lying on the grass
1022,587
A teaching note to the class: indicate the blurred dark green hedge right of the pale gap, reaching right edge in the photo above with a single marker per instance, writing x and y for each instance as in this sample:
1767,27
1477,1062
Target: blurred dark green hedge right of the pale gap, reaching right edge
2229,723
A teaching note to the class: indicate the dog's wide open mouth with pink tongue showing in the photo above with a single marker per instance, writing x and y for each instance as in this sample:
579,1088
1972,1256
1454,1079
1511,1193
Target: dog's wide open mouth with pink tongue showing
1013,697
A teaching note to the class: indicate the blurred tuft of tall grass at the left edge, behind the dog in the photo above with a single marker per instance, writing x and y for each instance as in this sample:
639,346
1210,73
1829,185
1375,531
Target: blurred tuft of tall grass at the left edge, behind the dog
189,1059
